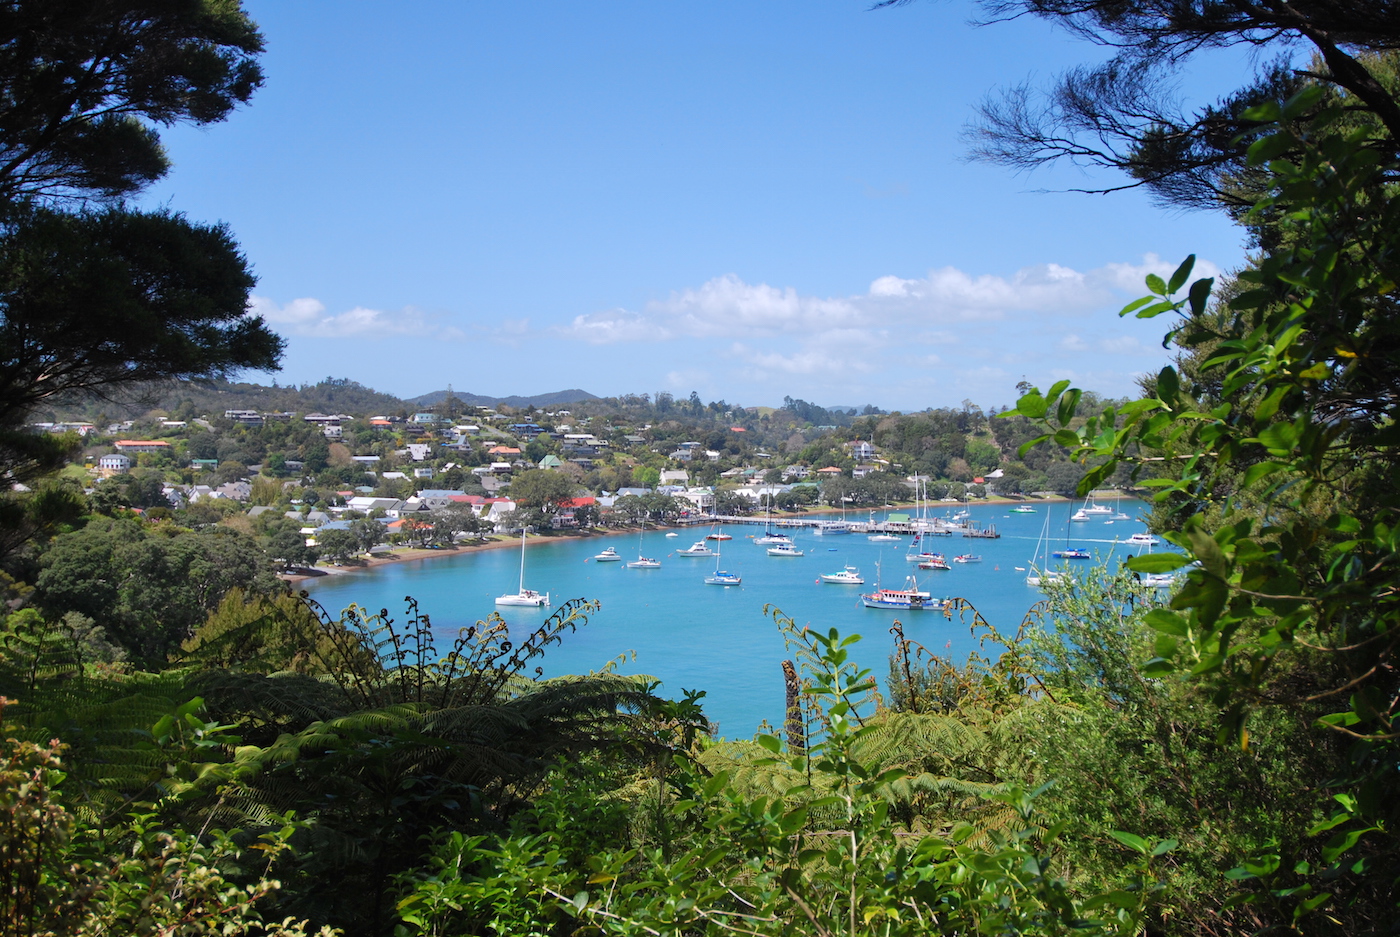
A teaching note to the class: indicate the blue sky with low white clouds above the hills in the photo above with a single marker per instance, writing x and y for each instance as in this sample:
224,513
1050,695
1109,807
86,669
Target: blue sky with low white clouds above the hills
750,200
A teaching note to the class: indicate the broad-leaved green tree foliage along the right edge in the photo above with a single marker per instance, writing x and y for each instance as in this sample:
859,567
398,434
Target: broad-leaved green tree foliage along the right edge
1280,466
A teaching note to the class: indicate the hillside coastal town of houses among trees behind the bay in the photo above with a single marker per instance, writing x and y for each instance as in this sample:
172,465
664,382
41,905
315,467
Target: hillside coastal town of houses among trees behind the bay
342,487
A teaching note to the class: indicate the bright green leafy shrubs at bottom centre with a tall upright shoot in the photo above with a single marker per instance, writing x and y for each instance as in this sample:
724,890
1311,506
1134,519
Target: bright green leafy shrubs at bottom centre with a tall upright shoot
821,856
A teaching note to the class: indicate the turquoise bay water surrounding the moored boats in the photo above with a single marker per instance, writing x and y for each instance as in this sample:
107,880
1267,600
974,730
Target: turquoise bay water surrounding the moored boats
717,639
